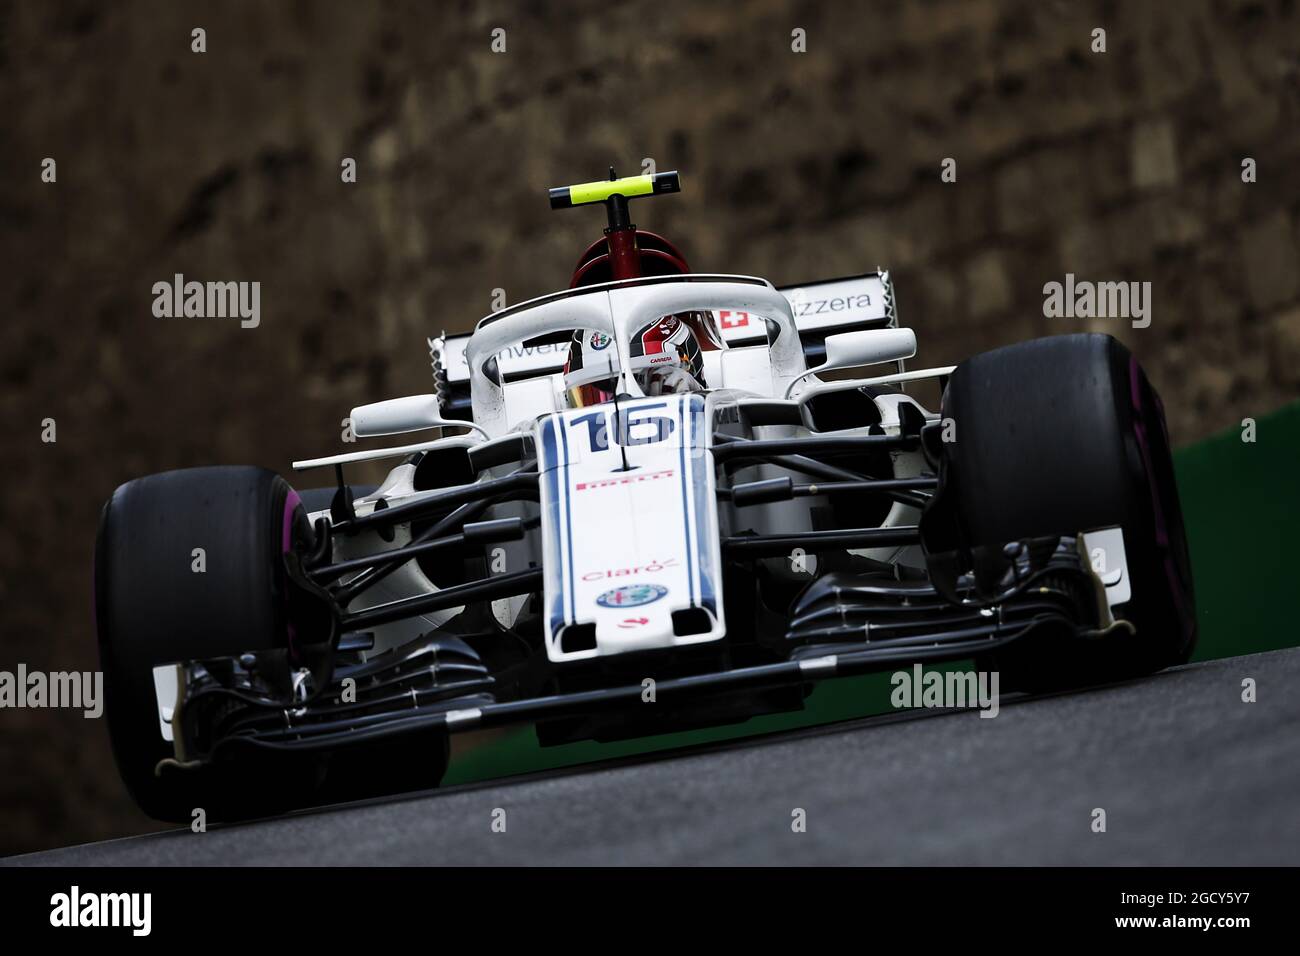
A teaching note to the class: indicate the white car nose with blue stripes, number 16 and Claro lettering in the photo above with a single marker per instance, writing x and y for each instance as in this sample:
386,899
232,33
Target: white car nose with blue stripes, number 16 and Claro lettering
630,529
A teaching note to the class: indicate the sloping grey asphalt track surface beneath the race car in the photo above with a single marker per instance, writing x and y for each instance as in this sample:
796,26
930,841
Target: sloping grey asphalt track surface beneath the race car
1188,773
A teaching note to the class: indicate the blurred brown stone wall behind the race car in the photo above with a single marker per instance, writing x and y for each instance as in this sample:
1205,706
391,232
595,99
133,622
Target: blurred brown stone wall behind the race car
226,166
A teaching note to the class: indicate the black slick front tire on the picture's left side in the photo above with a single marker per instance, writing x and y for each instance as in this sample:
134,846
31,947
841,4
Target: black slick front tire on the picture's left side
190,565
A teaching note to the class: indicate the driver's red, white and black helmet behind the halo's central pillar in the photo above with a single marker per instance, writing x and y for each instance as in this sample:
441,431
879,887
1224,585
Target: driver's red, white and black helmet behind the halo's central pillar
665,358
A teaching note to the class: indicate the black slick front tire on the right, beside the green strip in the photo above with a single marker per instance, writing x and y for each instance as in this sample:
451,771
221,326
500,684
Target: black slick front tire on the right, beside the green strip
1059,436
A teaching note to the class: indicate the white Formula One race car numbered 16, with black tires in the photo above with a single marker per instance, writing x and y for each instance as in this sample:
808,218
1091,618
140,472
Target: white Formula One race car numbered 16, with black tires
649,509
